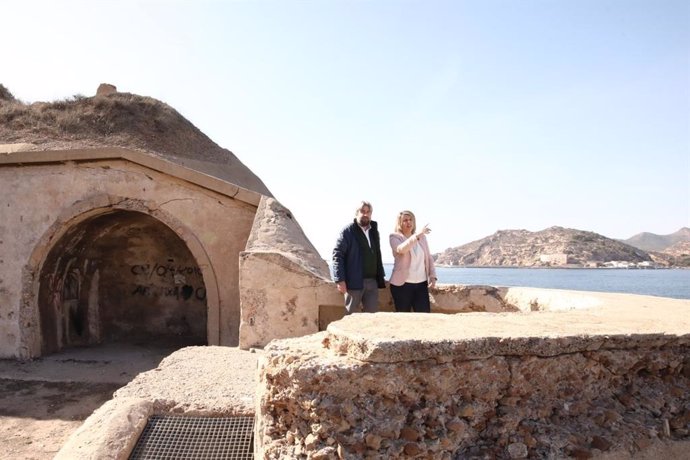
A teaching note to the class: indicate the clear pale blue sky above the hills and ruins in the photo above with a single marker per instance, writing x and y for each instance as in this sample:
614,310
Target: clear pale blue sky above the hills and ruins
476,115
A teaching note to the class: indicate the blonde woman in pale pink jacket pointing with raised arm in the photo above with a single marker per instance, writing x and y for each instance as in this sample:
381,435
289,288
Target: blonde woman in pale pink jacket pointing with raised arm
413,269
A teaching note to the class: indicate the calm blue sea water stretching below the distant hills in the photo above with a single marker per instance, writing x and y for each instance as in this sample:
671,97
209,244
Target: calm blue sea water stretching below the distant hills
674,283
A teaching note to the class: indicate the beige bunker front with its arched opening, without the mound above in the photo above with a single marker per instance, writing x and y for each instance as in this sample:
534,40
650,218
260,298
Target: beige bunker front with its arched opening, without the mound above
108,245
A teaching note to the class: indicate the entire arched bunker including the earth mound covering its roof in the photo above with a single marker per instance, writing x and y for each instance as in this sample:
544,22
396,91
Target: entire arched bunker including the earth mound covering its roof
120,221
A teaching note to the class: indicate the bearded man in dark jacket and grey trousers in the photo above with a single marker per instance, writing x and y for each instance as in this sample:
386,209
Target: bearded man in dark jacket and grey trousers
357,266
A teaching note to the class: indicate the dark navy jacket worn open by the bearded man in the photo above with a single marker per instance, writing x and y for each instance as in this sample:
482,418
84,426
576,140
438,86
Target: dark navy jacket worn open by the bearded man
347,256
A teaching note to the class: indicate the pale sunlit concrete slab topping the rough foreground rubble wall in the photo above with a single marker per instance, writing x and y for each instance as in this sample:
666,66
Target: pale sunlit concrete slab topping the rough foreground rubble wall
620,321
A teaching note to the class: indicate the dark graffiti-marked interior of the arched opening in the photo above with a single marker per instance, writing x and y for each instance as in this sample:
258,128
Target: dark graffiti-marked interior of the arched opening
121,277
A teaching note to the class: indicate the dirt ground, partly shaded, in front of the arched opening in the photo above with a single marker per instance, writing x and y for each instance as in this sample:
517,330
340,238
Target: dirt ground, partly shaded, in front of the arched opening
42,402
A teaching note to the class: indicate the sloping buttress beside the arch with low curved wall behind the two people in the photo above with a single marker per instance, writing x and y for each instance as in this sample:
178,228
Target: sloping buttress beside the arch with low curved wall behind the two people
286,288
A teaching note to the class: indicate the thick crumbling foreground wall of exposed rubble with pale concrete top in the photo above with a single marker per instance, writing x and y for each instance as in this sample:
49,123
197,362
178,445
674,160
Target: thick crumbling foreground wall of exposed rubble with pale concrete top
578,383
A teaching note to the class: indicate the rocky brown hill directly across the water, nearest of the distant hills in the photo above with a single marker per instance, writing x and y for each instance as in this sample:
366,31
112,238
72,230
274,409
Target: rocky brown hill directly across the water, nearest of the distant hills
555,246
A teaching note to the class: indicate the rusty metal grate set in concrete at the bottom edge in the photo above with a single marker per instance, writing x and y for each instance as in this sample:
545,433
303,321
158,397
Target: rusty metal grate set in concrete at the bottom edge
178,437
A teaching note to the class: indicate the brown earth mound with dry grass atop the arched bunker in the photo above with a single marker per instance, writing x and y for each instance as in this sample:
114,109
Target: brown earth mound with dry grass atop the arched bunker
120,120
